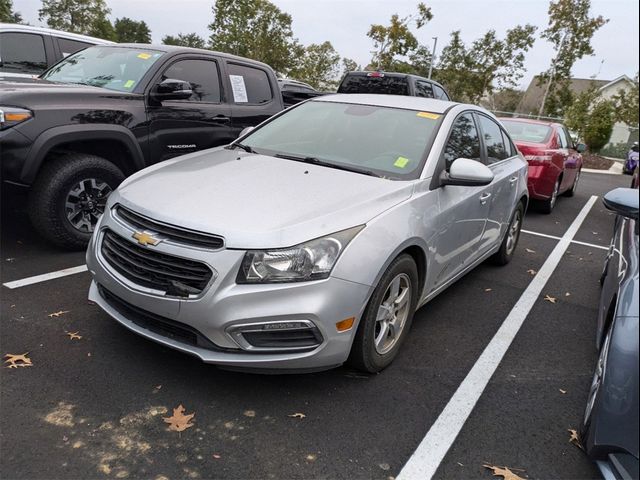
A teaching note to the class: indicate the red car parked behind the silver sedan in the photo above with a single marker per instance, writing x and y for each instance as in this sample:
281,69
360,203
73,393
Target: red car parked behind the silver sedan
554,160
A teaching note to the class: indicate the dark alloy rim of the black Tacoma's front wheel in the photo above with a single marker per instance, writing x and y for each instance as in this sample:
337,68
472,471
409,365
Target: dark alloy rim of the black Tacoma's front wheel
85,203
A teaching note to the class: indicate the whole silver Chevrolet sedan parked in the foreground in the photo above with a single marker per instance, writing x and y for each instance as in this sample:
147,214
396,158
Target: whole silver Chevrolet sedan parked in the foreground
312,239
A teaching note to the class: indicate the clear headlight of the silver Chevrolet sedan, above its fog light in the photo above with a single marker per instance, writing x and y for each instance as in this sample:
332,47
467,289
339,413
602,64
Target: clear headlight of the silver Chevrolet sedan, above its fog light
311,260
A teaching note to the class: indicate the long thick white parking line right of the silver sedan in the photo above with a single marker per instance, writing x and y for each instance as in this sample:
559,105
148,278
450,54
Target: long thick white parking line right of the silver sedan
427,458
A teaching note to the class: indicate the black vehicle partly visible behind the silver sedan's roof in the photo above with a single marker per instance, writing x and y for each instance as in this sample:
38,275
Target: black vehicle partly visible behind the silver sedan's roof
392,84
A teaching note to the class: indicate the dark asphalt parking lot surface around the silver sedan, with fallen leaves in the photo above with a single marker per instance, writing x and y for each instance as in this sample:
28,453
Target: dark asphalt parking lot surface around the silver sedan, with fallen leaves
93,407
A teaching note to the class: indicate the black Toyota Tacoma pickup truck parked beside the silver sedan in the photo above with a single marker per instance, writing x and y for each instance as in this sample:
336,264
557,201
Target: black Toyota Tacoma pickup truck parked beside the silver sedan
73,134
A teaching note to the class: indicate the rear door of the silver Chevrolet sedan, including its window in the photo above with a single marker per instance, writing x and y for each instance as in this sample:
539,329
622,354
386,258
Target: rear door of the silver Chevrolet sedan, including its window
502,158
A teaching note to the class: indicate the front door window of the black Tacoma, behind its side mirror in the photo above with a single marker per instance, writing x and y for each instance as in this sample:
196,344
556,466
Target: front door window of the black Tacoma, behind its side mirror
201,74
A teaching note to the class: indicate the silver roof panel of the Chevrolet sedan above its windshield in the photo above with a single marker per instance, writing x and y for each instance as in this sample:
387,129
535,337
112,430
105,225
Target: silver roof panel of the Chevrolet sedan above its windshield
393,101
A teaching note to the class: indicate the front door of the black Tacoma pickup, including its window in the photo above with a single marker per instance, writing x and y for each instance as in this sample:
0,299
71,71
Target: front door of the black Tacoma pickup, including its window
203,121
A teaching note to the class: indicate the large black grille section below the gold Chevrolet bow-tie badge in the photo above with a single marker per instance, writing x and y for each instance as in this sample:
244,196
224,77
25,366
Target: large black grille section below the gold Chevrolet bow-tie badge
173,275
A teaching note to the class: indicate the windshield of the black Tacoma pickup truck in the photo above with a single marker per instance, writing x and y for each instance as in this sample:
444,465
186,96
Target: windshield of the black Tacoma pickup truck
115,68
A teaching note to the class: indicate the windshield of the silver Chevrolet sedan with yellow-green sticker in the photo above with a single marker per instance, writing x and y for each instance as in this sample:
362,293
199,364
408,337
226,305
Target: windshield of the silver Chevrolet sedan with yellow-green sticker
382,141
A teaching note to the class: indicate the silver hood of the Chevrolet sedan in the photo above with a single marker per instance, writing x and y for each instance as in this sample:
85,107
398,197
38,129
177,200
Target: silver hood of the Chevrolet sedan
257,201
